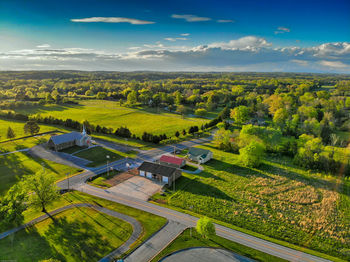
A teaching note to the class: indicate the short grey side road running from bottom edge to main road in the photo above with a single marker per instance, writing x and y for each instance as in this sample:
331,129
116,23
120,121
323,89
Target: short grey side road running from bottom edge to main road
157,242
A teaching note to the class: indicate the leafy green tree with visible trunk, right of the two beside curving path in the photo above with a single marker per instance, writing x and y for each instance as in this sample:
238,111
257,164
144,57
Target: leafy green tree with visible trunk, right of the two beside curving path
43,188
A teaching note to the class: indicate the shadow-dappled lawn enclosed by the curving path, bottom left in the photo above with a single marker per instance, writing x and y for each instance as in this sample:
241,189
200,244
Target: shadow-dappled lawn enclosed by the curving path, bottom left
79,234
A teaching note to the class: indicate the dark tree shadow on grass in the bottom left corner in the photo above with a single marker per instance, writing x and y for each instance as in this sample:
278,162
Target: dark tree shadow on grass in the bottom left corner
28,245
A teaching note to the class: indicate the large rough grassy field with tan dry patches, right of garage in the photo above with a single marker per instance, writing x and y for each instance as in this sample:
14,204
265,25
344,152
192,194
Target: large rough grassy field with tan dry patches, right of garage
278,200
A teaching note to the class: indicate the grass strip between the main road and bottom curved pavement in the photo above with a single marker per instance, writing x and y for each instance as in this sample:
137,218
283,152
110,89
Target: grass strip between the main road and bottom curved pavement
190,238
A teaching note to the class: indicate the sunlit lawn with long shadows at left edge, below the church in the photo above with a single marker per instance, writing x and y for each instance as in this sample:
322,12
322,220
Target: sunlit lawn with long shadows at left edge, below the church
14,166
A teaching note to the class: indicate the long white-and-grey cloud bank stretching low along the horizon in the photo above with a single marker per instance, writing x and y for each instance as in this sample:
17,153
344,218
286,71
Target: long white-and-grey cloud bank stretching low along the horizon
248,53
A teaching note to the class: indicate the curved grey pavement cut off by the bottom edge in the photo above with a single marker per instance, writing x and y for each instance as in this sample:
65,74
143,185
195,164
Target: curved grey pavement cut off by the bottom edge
205,254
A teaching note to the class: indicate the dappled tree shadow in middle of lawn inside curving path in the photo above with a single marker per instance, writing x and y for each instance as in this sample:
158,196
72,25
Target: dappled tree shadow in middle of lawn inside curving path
78,240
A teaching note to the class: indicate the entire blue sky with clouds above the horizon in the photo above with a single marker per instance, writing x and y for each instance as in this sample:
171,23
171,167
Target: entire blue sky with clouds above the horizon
205,35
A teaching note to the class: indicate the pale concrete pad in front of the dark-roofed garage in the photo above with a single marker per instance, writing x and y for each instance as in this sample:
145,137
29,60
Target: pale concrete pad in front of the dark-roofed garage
137,187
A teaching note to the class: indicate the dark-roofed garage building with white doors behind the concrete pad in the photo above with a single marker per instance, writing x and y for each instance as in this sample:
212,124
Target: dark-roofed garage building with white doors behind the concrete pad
162,173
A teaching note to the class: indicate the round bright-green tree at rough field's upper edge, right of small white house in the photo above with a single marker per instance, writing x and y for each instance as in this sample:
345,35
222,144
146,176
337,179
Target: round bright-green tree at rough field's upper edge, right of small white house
252,154
